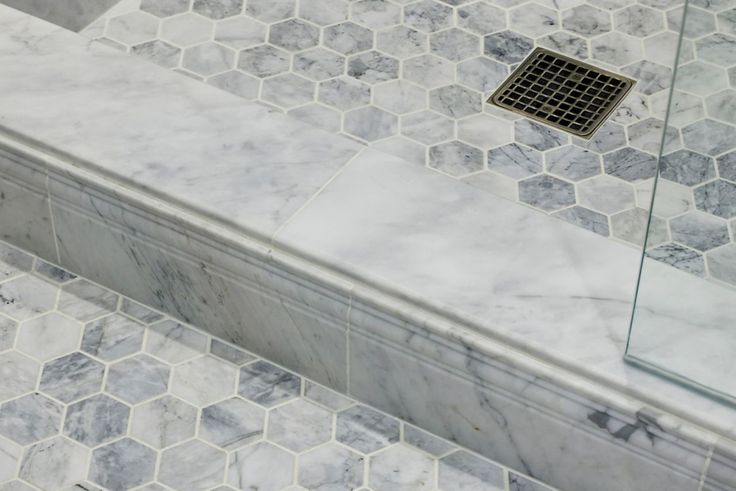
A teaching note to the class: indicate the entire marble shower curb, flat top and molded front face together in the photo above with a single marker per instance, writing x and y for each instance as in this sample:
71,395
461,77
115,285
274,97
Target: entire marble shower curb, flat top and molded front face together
482,321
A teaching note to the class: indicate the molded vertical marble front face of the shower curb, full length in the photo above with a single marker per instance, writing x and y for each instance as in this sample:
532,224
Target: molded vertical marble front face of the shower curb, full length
411,362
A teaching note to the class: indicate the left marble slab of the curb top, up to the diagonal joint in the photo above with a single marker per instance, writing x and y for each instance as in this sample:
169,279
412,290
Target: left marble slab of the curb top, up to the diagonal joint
209,150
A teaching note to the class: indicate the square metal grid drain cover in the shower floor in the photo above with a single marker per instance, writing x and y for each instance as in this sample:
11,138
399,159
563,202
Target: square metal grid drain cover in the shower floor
562,92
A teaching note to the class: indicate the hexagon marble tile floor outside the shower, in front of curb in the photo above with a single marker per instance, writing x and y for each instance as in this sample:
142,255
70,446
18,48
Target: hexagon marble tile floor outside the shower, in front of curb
100,393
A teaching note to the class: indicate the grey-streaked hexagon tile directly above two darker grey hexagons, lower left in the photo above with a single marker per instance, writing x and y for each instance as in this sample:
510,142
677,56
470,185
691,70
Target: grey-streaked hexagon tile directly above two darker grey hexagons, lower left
112,337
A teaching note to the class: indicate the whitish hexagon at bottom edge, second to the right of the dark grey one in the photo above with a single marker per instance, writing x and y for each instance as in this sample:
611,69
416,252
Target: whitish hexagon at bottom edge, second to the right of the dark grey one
260,466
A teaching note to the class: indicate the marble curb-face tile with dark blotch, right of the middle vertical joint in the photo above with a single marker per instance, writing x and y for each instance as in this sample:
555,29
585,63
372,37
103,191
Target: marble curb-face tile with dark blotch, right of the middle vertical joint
478,407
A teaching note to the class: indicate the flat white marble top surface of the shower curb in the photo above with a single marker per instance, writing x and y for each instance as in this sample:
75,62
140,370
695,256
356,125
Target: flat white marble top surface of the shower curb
547,287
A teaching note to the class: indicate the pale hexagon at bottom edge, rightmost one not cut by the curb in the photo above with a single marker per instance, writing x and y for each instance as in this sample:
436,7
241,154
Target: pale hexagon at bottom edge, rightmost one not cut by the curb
401,467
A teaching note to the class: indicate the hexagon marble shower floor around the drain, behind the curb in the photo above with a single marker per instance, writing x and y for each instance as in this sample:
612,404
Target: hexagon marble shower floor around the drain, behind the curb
411,77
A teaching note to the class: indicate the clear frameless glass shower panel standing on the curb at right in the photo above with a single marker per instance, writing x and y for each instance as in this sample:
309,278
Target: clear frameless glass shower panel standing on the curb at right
684,320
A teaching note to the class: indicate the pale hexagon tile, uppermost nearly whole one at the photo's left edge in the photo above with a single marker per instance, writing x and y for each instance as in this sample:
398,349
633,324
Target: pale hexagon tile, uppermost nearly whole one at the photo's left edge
25,297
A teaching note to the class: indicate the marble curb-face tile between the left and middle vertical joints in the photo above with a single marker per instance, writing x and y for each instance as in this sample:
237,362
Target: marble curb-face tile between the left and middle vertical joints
246,299
